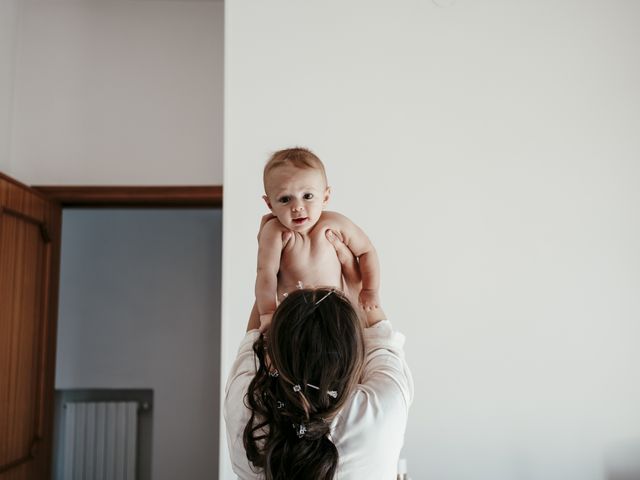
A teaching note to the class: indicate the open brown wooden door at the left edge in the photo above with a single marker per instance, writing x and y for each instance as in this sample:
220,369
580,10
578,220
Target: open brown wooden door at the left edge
29,269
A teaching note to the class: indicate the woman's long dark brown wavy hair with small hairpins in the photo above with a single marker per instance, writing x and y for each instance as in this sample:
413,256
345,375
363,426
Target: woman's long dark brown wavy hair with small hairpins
309,363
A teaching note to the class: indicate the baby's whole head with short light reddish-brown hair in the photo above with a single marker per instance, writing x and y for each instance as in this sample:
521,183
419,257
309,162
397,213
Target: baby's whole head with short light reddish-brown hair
296,188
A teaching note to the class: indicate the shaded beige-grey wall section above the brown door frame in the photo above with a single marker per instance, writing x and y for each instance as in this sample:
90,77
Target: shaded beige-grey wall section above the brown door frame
118,92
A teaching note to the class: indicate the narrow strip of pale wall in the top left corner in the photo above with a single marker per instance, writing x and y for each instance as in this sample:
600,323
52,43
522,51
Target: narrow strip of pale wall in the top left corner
8,24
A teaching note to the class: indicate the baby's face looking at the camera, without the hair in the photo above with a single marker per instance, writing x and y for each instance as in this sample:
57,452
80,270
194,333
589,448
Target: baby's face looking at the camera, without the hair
296,196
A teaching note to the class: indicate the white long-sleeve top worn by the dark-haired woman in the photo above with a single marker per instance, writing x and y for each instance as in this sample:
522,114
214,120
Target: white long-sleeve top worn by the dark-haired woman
368,432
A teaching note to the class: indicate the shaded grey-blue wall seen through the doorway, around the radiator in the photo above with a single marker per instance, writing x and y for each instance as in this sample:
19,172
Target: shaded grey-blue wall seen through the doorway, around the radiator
139,308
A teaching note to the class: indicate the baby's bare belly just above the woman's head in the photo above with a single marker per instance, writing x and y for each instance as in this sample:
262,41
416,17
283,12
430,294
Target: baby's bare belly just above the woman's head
298,270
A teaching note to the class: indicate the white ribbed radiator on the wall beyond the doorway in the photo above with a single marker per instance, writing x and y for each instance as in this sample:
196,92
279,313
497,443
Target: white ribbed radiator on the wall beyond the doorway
100,440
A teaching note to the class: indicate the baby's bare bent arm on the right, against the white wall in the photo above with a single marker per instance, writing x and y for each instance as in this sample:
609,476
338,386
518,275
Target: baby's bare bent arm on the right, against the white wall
361,246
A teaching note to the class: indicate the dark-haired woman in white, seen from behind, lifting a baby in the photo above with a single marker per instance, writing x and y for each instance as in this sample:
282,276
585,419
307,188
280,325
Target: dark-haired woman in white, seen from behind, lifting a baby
322,394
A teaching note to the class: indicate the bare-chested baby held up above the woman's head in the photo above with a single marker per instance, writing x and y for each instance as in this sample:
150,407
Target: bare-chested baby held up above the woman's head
293,251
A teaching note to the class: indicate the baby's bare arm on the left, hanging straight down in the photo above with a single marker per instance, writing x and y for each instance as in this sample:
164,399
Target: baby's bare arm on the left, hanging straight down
269,252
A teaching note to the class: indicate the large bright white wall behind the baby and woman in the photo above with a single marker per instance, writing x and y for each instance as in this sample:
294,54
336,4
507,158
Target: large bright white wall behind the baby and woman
490,150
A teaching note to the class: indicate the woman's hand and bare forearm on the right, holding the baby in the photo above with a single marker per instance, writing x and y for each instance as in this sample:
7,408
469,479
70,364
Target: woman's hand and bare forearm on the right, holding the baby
373,313
